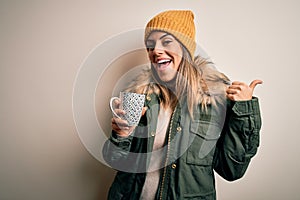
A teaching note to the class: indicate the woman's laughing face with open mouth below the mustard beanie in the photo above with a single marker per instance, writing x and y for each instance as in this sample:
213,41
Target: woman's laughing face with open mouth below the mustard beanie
165,54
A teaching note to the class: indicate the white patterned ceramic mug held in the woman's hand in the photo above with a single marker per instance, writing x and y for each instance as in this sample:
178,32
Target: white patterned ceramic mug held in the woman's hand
132,104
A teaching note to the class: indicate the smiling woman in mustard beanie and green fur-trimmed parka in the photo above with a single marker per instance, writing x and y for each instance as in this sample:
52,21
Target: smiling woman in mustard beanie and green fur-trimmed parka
194,122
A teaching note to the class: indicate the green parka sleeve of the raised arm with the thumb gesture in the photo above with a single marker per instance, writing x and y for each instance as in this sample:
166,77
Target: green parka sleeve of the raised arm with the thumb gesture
239,140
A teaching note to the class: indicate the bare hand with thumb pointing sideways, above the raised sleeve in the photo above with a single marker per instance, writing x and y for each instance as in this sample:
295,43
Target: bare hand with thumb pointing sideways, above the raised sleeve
239,91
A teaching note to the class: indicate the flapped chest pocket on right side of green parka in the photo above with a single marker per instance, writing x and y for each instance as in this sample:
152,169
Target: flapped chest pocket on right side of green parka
203,139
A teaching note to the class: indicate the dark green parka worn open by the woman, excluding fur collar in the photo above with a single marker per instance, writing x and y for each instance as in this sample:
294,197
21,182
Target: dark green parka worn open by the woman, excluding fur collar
223,138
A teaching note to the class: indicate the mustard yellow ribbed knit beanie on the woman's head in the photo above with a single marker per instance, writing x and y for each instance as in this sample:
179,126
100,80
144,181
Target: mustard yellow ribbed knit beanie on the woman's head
179,23
